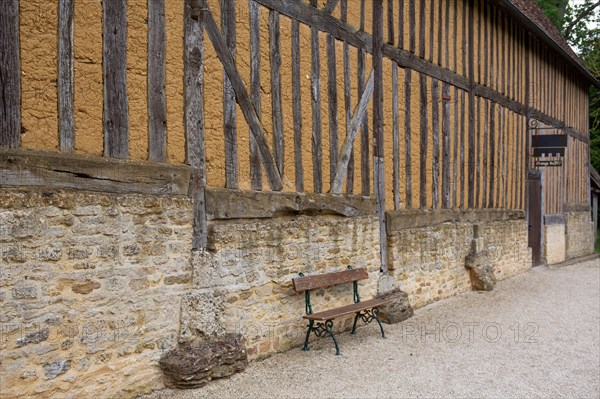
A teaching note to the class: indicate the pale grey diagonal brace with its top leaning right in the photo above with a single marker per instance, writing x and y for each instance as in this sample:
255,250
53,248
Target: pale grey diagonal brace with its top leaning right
357,117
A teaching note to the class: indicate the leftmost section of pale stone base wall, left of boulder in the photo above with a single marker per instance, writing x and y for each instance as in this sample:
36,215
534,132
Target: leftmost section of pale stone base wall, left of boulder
90,288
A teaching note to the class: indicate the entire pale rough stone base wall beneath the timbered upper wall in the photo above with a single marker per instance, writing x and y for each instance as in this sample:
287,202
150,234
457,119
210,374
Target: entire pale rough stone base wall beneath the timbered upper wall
96,288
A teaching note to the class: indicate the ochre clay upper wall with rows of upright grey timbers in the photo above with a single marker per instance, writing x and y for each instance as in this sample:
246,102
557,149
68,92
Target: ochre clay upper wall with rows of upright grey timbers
454,103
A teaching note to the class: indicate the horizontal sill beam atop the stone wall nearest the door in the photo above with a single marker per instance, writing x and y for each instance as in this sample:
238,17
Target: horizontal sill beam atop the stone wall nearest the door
407,219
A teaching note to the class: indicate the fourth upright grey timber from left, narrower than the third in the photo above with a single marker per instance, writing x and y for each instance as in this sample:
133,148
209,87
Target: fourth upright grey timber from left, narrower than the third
157,103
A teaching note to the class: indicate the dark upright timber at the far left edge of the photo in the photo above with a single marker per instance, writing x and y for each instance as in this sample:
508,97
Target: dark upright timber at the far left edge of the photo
10,75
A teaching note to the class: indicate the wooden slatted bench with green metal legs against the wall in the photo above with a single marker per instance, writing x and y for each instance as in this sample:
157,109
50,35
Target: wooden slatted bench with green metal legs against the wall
321,323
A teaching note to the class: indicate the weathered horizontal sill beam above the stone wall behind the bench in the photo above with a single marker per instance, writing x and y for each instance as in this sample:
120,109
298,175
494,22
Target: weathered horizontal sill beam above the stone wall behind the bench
237,204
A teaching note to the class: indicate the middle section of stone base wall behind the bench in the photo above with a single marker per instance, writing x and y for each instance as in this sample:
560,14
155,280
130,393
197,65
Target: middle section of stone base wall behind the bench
244,284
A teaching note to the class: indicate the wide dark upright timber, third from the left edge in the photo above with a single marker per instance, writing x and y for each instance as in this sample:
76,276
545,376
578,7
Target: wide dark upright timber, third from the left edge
114,63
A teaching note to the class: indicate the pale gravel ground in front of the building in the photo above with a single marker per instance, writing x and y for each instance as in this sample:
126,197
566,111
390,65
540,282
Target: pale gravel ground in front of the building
535,335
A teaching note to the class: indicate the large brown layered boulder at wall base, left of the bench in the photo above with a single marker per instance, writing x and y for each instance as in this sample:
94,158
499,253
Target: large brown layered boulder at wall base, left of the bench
194,364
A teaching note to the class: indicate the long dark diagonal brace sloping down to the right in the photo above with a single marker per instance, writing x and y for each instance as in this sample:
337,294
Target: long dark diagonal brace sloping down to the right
243,98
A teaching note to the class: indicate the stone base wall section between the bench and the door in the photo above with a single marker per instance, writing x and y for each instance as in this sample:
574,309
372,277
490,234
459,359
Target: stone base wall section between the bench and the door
428,262
